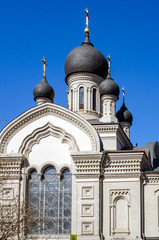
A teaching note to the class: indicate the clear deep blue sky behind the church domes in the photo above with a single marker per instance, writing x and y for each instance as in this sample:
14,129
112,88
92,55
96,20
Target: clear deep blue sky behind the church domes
128,30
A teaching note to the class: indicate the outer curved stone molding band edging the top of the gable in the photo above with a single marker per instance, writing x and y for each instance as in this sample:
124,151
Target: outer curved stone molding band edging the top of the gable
43,110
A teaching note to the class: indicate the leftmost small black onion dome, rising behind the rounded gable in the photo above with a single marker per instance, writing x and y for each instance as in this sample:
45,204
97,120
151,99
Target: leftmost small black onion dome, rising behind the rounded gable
43,89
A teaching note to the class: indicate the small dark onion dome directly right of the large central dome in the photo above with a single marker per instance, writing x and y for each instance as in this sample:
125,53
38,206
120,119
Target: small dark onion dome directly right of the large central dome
108,86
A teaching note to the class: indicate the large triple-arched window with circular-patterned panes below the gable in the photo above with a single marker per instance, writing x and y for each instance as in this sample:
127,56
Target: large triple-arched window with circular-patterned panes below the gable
51,197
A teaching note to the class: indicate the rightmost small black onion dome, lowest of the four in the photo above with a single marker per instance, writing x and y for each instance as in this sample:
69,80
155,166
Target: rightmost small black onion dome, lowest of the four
124,115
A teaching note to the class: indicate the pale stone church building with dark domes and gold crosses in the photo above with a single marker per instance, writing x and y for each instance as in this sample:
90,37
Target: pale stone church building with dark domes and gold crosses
77,165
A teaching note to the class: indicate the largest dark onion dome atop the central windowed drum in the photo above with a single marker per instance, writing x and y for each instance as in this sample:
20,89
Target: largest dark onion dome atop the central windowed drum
86,58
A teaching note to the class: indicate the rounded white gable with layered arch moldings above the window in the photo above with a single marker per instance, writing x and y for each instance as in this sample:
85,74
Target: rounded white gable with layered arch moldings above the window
48,120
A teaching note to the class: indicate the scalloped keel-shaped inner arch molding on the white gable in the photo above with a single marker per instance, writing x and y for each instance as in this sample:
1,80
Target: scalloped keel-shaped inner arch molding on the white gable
47,130
